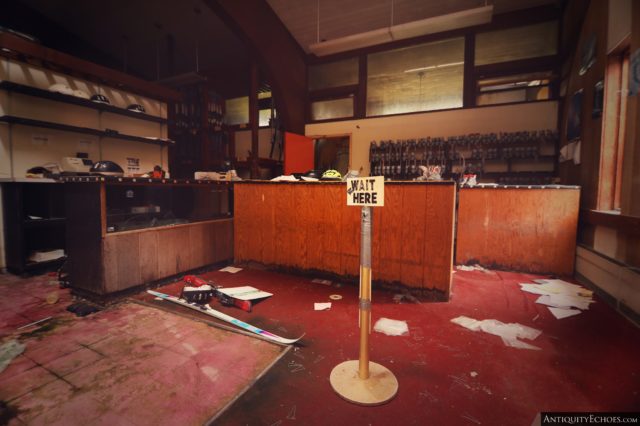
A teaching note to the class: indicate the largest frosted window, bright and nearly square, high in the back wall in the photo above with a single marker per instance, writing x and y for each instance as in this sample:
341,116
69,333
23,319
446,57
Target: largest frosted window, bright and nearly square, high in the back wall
418,78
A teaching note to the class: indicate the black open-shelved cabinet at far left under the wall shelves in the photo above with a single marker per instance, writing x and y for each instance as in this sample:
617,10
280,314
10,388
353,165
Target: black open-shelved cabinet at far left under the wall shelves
34,220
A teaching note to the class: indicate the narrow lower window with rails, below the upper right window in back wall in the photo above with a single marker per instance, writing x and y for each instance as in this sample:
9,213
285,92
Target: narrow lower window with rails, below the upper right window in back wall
514,88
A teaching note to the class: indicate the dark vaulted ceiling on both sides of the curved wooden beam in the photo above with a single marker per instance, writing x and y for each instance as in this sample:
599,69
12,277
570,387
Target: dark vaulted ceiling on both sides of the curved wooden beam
135,33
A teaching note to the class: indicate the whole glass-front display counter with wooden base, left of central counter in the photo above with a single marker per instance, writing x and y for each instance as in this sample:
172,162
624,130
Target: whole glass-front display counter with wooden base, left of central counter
126,232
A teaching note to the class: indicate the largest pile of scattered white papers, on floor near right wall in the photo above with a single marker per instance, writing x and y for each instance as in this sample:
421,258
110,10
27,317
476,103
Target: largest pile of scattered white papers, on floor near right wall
560,296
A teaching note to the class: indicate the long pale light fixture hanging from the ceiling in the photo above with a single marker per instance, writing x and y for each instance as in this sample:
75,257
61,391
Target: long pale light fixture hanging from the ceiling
436,24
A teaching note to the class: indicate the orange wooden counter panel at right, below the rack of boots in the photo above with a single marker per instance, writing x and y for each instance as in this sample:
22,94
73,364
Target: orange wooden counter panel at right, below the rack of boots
522,229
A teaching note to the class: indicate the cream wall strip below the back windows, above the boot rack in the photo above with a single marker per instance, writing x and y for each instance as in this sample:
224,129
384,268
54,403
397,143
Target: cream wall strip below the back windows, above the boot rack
505,118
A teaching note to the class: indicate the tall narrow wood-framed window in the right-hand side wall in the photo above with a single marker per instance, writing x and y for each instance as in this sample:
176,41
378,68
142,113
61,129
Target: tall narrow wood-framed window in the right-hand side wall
613,131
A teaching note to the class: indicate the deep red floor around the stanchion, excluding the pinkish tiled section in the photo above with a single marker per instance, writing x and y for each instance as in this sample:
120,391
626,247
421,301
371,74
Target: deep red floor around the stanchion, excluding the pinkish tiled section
587,362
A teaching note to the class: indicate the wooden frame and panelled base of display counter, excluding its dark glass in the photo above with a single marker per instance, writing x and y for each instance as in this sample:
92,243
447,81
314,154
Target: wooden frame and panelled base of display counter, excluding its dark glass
102,263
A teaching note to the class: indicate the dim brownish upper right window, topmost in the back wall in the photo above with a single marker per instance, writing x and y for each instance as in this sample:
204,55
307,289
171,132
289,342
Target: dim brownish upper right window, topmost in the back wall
513,44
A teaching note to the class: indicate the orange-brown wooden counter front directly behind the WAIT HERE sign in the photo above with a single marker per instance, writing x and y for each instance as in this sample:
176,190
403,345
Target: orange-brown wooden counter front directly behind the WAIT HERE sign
308,226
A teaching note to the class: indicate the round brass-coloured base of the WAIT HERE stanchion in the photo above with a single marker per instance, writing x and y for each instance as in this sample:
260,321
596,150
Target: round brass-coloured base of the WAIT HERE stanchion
379,388
